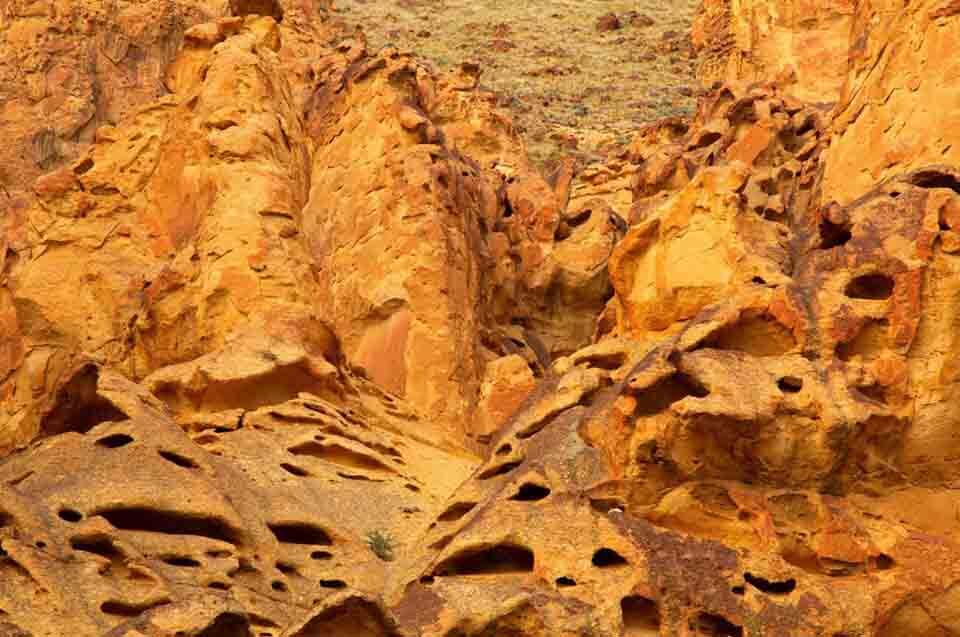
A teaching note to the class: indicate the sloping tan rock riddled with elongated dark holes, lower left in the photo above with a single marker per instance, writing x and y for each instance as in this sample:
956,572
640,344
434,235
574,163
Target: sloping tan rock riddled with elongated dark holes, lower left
239,525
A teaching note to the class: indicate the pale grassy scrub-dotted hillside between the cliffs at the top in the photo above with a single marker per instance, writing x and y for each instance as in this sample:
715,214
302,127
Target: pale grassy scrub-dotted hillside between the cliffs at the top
576,81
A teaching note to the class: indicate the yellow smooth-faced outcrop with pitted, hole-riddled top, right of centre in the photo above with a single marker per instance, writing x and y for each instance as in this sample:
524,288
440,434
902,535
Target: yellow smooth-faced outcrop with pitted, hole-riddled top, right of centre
714,206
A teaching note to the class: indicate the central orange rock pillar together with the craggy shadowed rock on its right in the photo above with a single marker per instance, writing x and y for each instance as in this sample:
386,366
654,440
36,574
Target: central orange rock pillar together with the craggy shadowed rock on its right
480,256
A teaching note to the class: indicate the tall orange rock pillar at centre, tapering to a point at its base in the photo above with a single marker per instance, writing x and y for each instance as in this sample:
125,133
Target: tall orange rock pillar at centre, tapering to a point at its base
383,183
